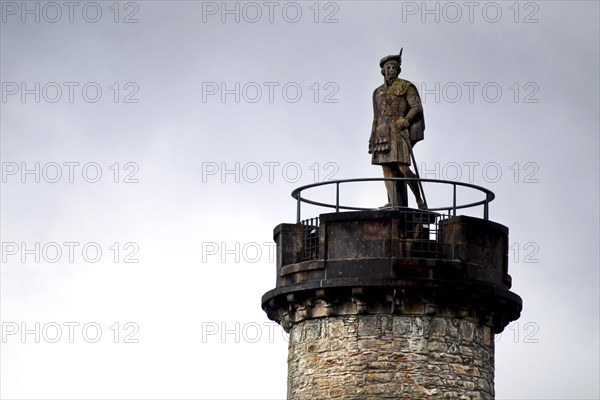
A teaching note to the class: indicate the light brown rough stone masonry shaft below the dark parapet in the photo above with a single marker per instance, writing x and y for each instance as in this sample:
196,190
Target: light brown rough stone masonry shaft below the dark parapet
389,356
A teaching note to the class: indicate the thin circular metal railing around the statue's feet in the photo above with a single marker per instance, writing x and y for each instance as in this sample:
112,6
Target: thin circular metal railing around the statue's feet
451,209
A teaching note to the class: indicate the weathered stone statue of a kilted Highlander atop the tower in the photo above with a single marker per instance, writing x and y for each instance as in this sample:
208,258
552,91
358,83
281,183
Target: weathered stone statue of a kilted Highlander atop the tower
398,125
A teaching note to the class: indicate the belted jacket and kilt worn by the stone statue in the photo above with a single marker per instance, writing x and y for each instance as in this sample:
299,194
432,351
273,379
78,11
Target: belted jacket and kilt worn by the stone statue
389,143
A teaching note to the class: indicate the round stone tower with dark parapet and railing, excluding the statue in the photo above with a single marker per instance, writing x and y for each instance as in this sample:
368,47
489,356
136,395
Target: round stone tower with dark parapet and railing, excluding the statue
392,304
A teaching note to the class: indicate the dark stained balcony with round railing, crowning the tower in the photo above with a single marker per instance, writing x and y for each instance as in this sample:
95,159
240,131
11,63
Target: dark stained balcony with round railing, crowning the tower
396,260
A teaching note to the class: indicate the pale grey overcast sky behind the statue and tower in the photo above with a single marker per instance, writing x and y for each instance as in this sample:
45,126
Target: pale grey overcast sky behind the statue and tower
149,148
